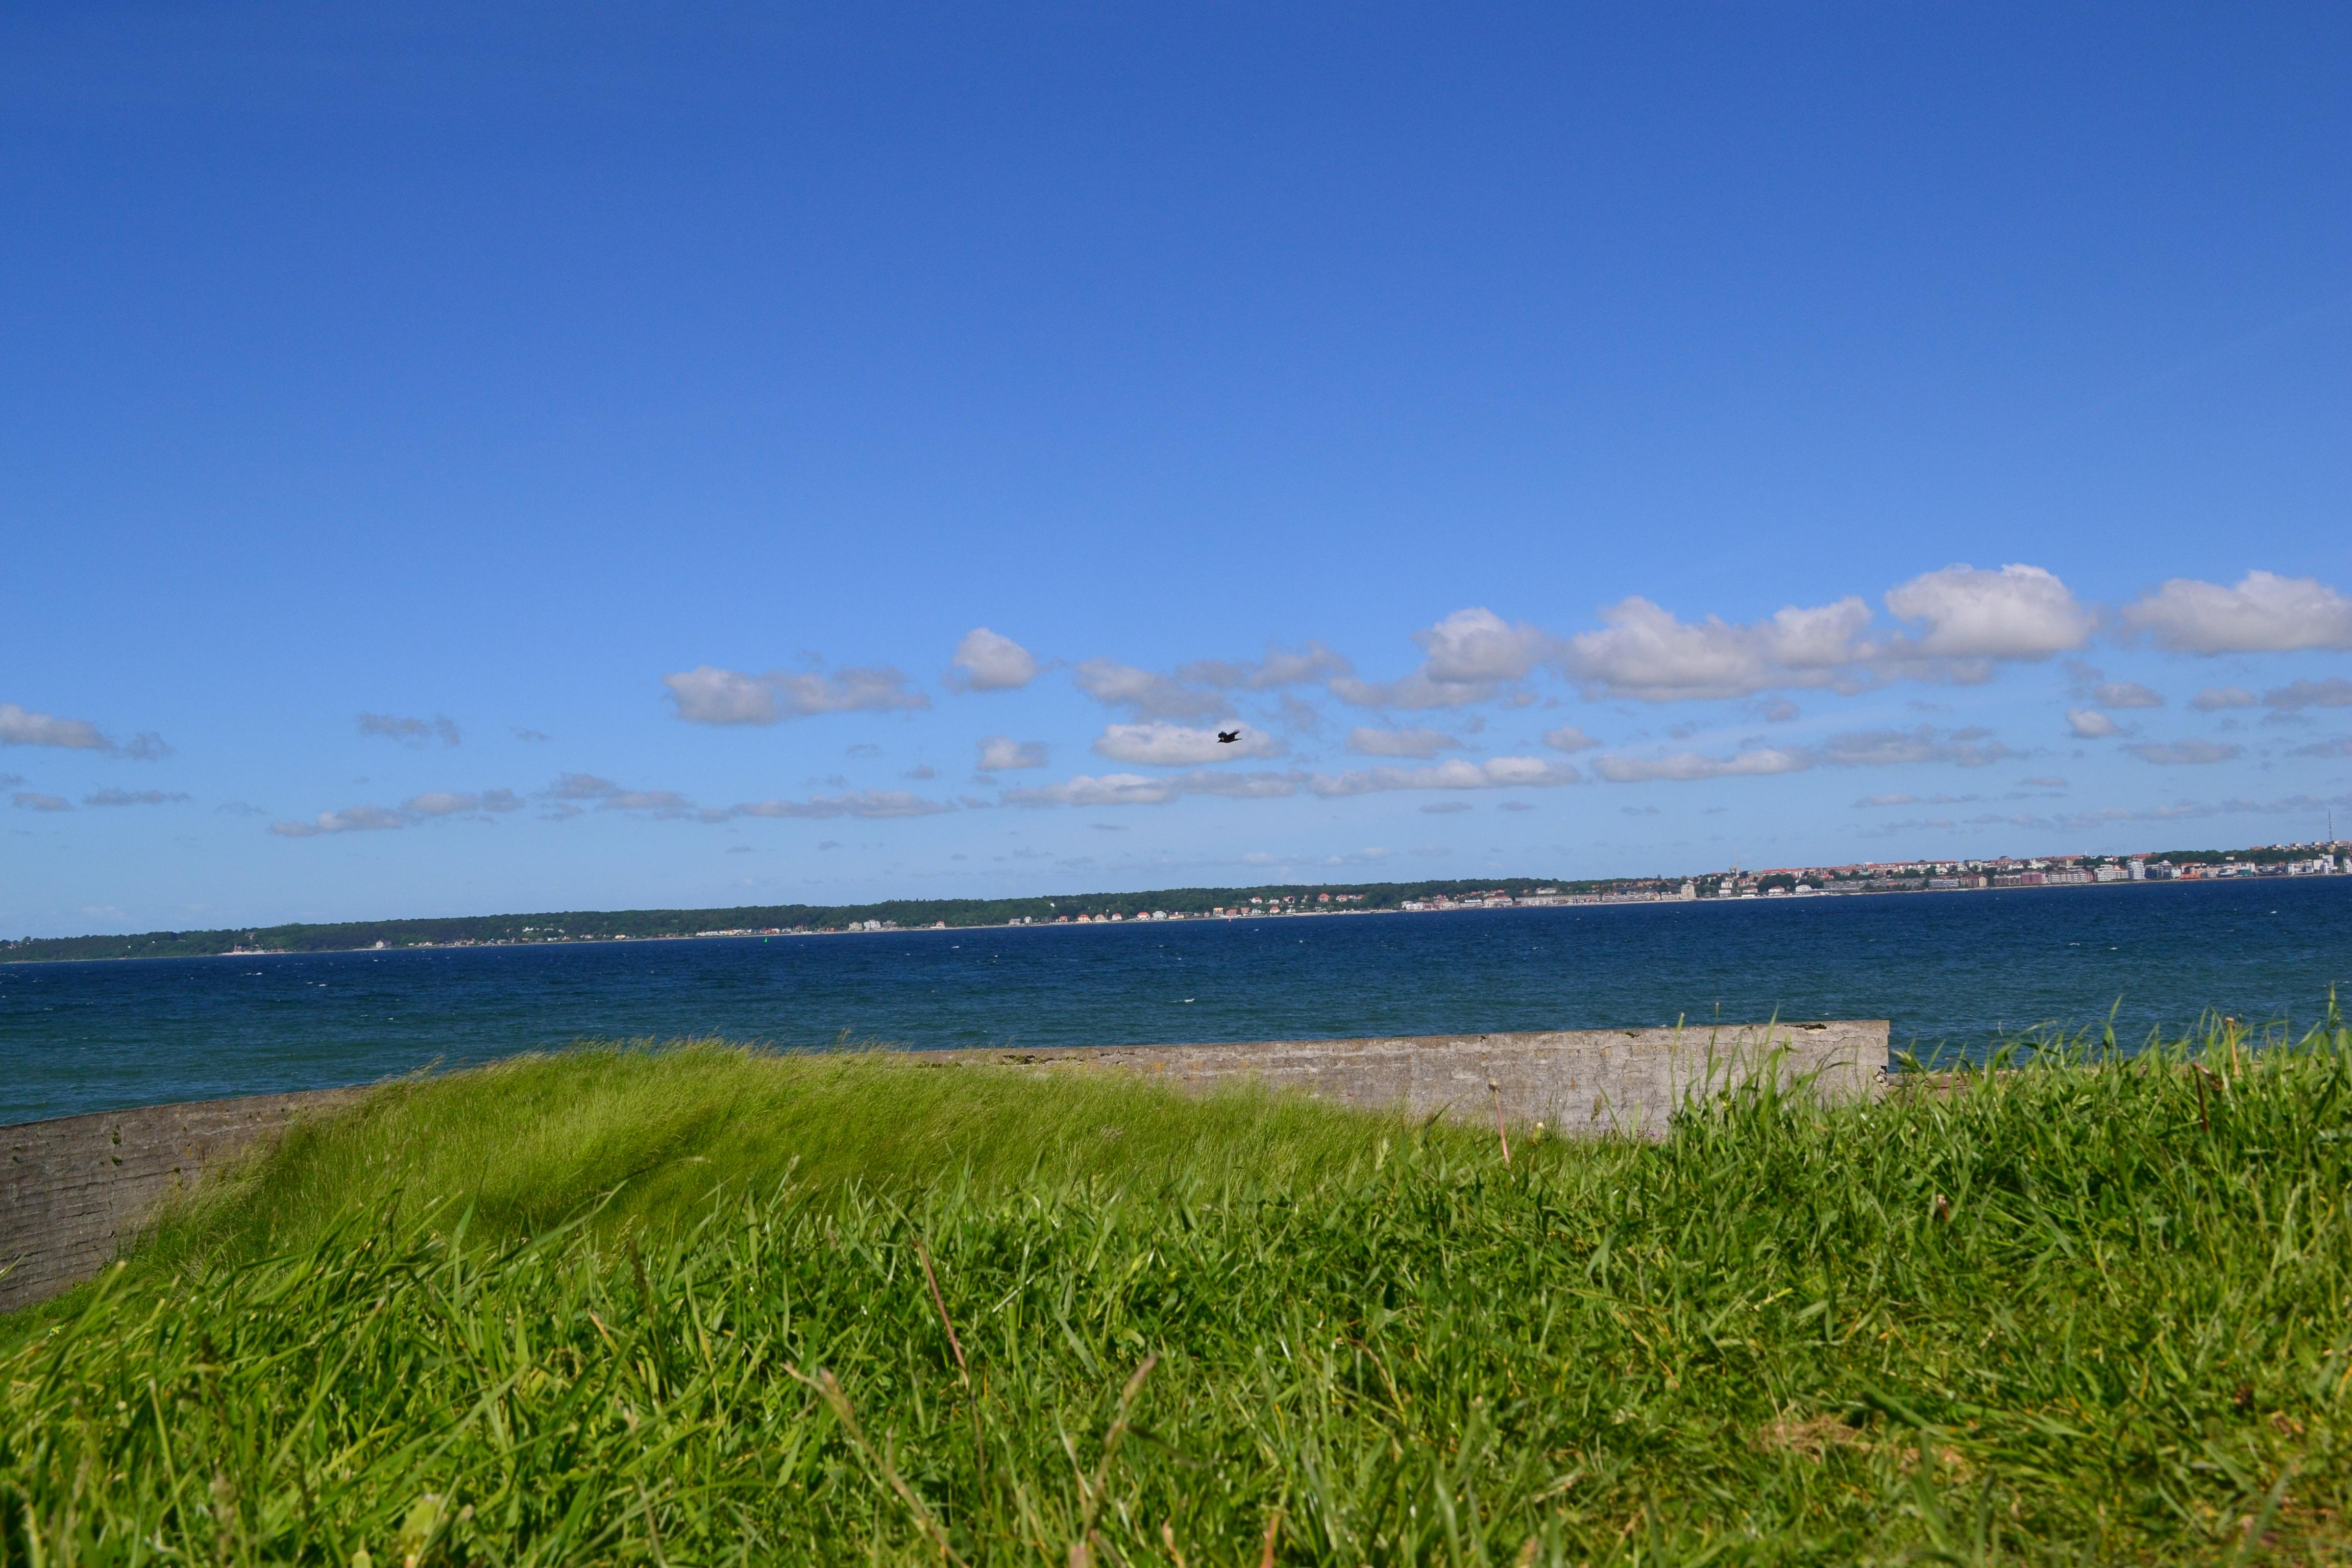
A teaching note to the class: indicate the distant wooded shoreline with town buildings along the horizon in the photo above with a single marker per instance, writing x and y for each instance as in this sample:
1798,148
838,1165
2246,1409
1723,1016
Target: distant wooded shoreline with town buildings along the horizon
1163,904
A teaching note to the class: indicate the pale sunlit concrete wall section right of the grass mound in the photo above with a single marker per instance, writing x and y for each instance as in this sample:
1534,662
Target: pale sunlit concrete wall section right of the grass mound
1575,1083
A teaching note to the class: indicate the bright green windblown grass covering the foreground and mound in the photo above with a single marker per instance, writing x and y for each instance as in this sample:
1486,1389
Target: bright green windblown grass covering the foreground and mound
2085,1313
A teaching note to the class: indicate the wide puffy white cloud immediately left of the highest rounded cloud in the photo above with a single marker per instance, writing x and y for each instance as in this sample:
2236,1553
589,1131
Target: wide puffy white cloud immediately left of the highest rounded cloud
1645,652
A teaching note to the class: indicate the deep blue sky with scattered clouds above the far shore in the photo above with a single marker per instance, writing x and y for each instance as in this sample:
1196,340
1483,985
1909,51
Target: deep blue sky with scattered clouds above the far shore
556,457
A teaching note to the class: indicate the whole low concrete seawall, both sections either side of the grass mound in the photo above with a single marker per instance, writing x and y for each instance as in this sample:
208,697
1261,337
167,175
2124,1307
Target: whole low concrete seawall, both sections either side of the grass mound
79,1188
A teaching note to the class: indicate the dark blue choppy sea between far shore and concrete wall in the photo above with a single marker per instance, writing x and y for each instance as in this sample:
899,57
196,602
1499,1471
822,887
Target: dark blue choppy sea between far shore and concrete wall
1958,970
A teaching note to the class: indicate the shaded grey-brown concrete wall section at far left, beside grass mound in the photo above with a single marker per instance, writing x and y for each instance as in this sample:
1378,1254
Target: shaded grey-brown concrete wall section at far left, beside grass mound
74,1191
